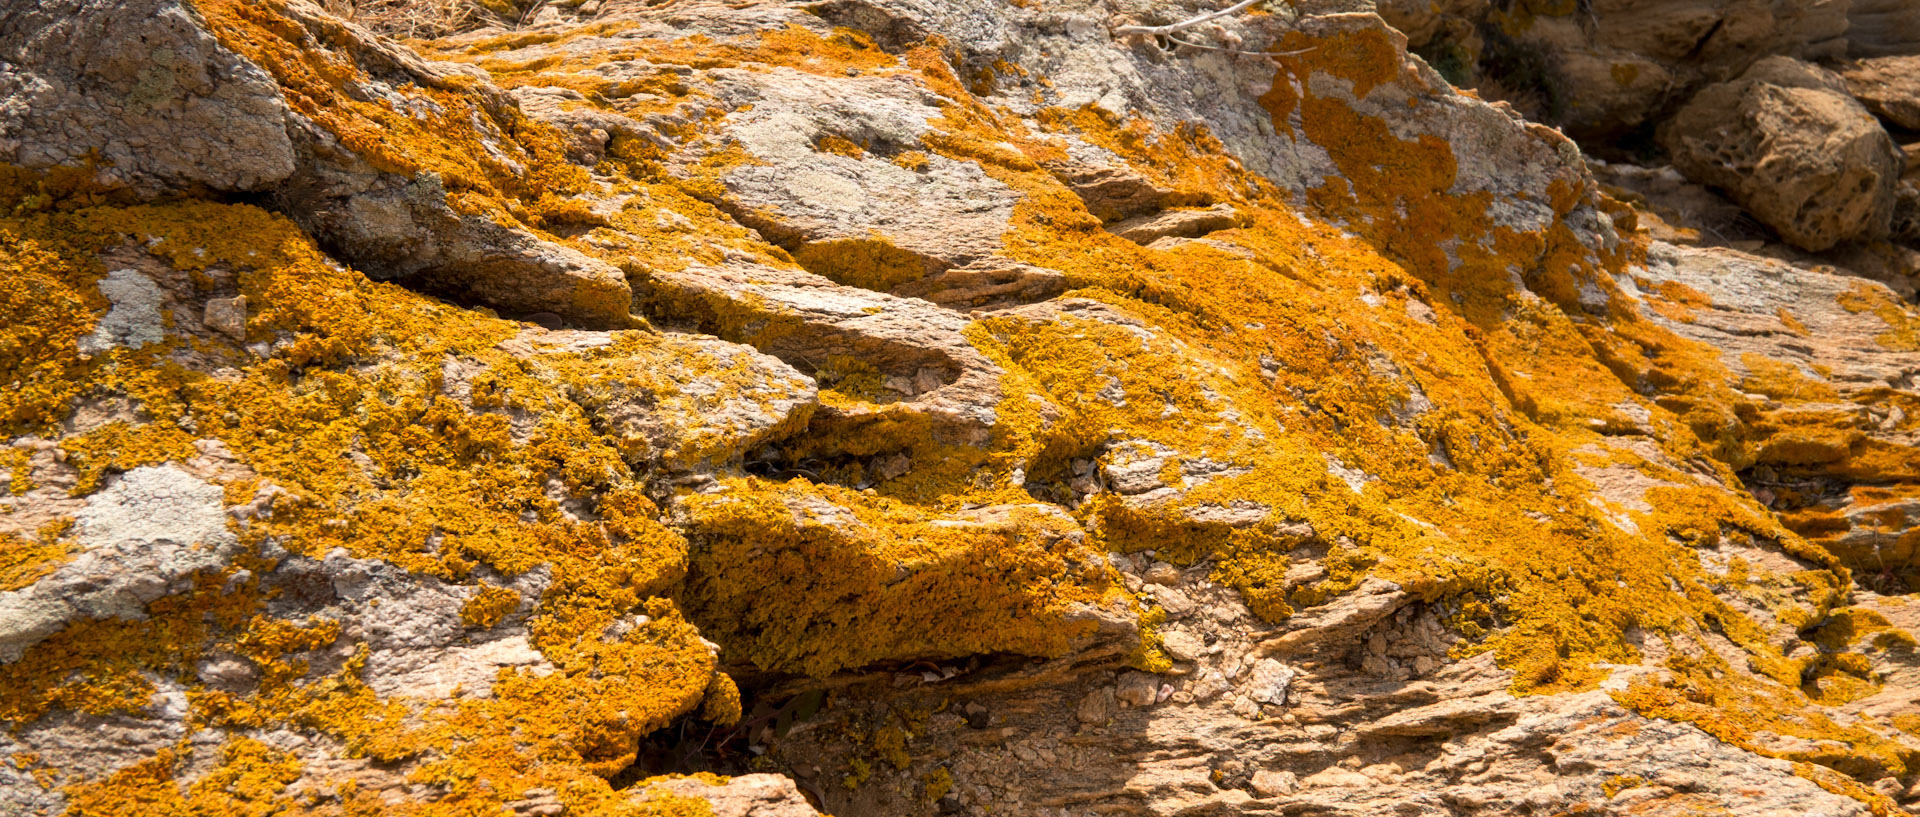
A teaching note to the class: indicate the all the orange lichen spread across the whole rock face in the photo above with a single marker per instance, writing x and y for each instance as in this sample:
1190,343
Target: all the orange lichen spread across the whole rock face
1414,396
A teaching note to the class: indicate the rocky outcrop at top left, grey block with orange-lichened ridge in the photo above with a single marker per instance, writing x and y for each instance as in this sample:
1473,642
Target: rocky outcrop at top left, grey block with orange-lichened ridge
151,101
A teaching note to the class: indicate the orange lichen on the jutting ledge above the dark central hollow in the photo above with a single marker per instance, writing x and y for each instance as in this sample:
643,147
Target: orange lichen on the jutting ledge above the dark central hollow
811,578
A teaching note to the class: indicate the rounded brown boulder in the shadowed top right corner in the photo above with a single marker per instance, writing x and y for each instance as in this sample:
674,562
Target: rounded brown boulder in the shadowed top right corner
1792,149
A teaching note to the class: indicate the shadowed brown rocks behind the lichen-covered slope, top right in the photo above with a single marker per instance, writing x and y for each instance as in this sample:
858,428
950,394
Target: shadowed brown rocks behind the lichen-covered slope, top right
1620,74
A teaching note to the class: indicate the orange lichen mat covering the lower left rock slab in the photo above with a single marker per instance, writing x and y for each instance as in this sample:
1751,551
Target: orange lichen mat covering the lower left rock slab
354,419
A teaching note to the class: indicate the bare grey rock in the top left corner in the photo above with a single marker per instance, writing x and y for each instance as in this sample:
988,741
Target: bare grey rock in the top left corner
143,87
